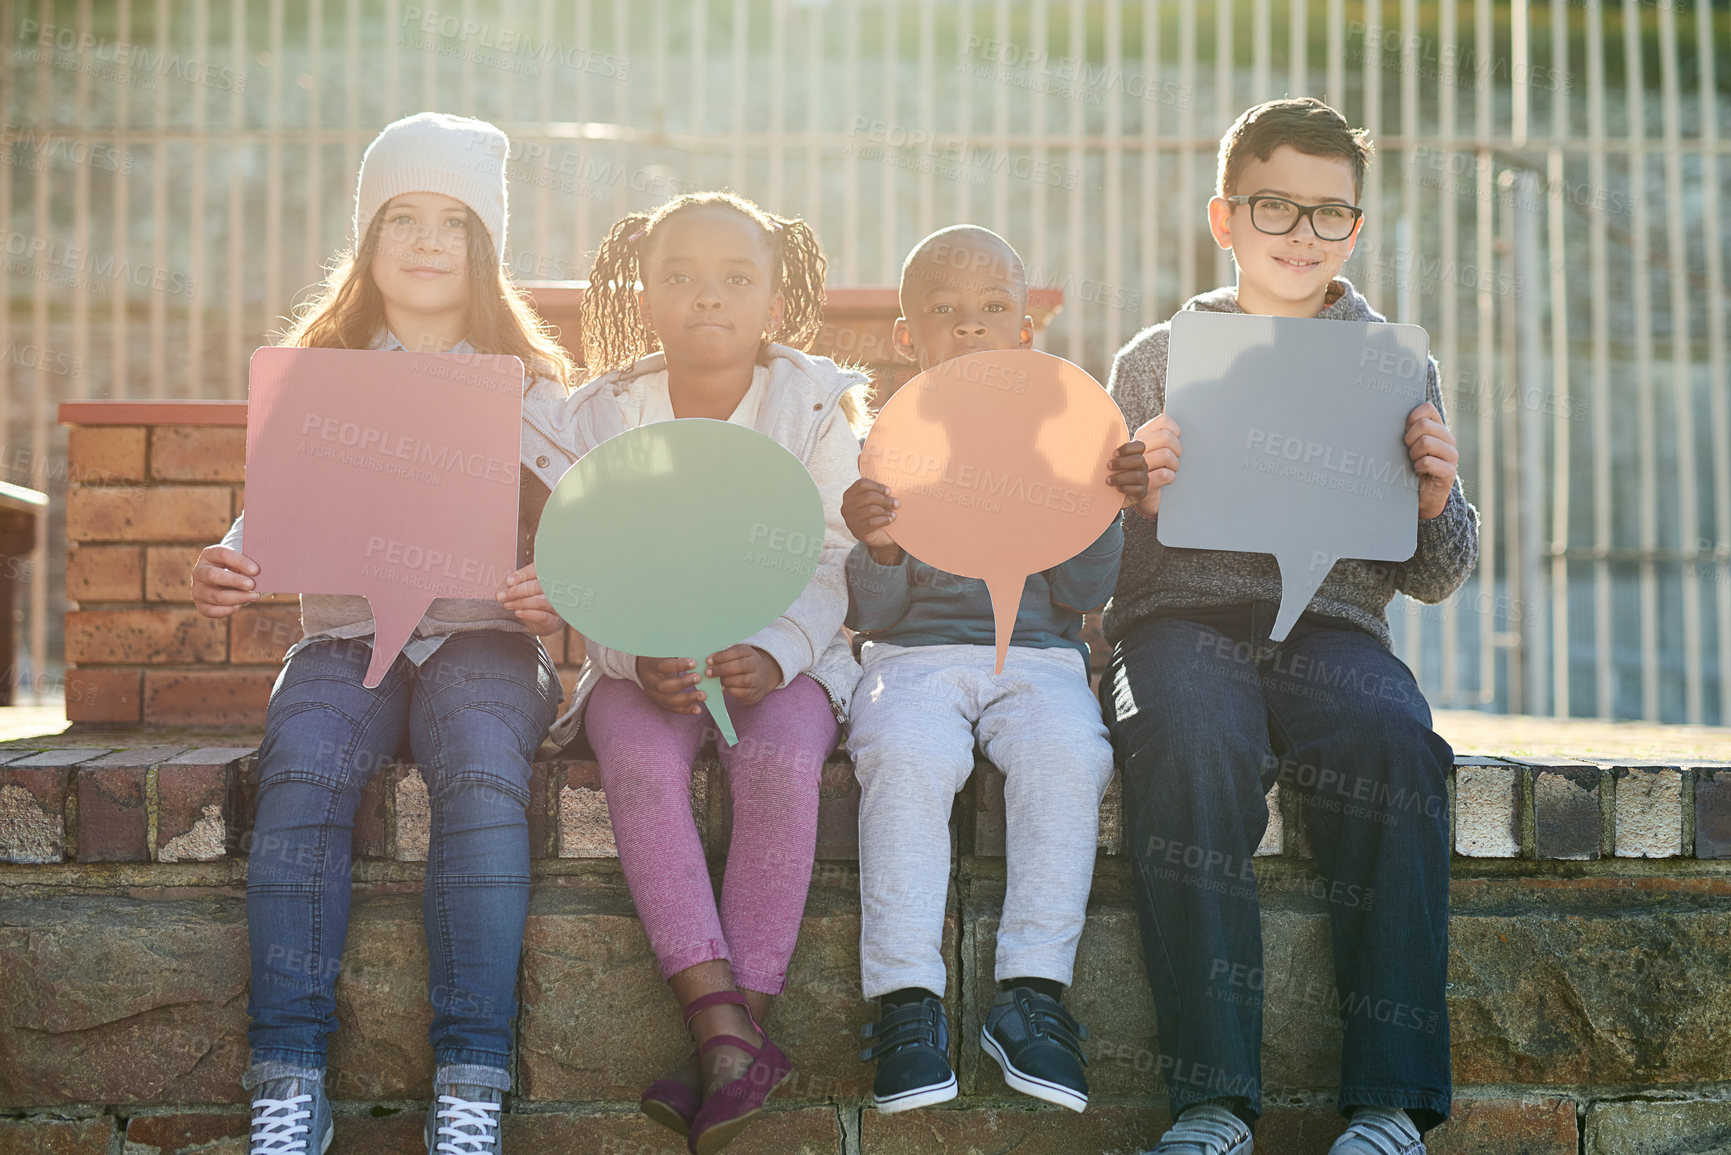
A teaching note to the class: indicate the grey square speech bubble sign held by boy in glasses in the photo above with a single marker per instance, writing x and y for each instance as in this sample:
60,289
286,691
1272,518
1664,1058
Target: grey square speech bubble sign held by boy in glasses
1294,442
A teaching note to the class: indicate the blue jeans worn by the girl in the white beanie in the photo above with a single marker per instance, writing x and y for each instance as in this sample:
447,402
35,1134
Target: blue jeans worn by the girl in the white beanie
472,716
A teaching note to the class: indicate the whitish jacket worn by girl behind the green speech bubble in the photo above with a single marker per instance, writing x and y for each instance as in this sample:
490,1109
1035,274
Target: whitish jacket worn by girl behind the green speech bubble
802,411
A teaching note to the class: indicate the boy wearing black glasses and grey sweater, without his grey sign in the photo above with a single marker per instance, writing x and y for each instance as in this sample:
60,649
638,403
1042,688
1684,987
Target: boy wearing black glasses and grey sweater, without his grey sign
1206,714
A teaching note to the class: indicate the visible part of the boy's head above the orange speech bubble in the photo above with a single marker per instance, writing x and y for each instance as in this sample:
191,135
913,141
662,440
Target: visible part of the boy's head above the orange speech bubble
963,299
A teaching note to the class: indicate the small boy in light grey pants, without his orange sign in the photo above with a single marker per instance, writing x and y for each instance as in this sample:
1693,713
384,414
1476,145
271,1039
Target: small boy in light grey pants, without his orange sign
929,697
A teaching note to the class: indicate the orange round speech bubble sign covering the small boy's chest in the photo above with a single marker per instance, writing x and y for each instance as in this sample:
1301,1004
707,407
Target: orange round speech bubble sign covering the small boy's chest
1000,461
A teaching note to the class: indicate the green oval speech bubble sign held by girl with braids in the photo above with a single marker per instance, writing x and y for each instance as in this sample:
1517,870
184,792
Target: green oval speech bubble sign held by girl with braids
681,539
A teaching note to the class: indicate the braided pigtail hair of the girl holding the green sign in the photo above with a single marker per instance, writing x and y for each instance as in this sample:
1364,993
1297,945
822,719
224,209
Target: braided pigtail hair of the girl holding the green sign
614,328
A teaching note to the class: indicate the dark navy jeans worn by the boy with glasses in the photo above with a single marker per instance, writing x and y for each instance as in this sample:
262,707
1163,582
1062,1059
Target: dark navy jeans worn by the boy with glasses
1206,718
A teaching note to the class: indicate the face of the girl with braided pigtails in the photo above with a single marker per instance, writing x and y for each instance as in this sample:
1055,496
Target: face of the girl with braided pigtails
709,288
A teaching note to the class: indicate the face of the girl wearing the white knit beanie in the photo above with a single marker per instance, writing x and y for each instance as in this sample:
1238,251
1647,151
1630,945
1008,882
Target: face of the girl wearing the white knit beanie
421,262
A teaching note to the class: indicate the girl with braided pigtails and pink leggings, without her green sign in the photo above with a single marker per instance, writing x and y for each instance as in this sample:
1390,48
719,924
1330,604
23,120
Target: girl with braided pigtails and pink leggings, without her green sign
700,309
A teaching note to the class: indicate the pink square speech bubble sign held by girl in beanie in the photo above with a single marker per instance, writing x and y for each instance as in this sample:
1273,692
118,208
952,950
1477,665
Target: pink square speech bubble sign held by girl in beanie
383,474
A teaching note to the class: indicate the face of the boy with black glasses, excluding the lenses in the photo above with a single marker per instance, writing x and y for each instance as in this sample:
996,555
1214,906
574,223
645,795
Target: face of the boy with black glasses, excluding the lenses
1285,274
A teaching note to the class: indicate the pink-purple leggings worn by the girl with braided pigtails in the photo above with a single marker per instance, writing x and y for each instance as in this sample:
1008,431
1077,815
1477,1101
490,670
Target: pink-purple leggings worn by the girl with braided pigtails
773,775
